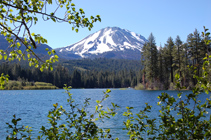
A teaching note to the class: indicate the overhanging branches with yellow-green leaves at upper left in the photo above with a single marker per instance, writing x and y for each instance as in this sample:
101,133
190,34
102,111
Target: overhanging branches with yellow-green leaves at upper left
18,16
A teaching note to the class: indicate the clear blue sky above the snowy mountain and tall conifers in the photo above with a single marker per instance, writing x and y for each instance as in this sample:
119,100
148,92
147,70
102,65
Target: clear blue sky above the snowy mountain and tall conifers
164,18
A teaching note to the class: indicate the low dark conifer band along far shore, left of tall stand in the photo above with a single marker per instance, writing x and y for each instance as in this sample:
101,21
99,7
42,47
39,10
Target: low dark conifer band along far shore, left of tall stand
77,79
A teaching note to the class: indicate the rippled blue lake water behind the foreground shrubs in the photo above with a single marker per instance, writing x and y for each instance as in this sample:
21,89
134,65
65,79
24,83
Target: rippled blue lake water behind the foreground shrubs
32,106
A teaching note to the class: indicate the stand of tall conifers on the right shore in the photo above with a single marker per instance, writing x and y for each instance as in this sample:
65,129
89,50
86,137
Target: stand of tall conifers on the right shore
176,56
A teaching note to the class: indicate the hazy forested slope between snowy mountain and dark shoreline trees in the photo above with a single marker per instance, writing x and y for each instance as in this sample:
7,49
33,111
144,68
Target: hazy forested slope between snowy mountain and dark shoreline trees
101,64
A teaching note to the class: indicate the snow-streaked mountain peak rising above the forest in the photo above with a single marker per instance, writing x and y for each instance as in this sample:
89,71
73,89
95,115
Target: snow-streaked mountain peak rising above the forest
110,42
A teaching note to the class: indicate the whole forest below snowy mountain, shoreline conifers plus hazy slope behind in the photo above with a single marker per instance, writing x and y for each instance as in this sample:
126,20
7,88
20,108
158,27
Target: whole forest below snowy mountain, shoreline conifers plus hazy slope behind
84,75
